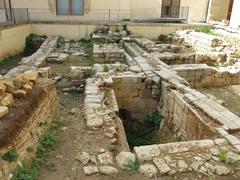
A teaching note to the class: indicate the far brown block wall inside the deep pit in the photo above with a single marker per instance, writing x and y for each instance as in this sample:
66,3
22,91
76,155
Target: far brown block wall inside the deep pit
133,96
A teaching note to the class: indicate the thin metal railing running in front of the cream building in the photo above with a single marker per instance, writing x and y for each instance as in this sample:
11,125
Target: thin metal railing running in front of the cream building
24,15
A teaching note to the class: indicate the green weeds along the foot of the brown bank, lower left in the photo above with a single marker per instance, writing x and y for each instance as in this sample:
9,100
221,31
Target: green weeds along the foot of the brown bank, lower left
48,143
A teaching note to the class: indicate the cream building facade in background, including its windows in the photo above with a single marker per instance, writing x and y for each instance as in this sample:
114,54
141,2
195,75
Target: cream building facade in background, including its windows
114,10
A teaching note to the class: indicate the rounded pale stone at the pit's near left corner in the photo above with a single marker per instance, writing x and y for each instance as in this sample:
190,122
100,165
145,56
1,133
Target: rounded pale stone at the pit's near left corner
123,158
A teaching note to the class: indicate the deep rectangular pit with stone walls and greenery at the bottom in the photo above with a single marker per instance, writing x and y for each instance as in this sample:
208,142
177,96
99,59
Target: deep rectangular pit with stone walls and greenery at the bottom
141,113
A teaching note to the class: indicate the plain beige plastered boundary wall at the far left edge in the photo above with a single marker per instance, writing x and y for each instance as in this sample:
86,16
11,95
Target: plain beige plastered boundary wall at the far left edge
12,40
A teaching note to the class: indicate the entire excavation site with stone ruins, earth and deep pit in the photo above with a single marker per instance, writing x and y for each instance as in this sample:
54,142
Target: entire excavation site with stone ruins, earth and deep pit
118,105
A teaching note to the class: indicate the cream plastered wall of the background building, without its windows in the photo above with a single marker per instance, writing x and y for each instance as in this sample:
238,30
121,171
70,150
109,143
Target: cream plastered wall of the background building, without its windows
46,9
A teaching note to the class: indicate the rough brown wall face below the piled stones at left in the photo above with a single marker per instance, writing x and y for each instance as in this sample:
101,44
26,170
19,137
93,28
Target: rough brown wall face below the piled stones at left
29,135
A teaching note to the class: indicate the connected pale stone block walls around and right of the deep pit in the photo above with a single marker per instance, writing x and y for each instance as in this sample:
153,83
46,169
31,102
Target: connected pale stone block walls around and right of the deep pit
162,77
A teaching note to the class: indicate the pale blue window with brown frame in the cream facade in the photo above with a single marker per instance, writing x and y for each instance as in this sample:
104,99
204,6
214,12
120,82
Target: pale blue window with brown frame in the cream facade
70,7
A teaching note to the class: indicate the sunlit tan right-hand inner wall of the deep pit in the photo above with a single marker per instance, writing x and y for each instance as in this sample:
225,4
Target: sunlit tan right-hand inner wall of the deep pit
186,122
